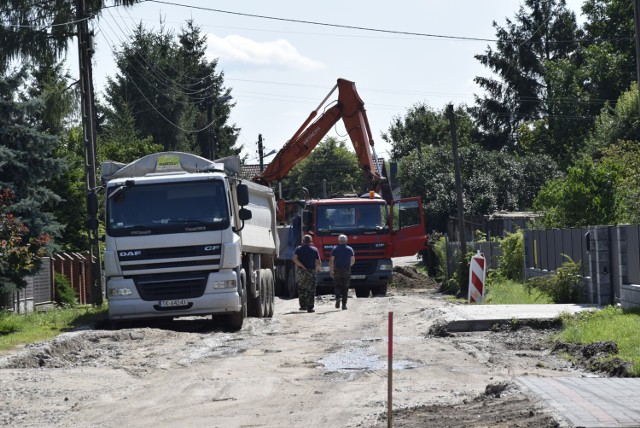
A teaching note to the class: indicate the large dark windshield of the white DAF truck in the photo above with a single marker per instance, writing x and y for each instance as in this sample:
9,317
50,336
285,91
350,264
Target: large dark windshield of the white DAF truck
177,207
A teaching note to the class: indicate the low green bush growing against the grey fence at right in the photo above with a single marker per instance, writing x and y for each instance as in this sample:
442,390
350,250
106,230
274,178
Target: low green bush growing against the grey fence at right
562,286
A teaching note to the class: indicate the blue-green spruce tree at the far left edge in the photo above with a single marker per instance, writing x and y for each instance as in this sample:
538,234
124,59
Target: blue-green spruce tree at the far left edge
26,165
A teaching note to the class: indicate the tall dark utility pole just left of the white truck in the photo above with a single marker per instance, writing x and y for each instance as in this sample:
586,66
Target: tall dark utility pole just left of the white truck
85,50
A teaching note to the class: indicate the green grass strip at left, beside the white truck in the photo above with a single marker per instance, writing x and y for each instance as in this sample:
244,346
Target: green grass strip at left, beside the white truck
18,329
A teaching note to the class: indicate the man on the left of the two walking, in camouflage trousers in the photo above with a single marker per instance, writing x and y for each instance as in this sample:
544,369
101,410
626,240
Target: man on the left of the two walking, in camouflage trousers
307,258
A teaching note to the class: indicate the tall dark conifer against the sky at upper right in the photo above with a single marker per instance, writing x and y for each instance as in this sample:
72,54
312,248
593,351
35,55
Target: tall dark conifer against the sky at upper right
540,32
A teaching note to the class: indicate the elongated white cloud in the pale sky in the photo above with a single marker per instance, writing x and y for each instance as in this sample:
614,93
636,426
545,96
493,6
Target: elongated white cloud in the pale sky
277,53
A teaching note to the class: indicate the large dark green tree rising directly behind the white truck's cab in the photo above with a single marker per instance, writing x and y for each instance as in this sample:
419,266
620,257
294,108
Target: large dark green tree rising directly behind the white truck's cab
172,92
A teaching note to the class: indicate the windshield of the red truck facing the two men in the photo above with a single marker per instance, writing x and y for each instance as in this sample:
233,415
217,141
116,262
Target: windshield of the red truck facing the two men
370,218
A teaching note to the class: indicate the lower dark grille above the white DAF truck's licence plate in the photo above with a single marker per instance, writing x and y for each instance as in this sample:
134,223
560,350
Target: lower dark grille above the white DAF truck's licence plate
181,285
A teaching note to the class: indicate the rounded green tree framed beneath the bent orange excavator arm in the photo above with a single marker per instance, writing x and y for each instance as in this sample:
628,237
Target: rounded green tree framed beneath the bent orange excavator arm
330,161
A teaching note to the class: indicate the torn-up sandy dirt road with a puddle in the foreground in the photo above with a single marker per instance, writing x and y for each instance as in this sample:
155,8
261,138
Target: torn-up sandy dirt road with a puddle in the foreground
323,369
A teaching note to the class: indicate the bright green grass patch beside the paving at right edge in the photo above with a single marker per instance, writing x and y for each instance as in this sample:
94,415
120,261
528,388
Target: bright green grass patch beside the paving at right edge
608,324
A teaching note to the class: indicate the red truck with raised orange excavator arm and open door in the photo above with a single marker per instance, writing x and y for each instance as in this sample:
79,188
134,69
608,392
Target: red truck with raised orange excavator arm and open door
377,226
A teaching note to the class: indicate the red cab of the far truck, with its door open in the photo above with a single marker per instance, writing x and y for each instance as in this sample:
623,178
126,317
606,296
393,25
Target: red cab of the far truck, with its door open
376,230
